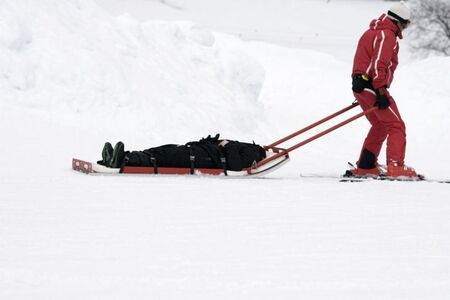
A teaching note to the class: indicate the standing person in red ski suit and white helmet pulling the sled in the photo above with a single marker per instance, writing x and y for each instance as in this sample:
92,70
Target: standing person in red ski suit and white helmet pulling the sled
375,61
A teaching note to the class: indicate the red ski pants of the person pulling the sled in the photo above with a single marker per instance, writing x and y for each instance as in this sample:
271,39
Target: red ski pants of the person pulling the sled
386,123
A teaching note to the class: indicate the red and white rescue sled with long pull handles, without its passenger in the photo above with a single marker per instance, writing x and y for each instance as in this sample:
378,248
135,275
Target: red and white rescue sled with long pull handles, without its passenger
276,156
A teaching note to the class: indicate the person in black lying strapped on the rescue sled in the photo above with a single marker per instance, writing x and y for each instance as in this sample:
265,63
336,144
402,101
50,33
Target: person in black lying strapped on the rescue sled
209,152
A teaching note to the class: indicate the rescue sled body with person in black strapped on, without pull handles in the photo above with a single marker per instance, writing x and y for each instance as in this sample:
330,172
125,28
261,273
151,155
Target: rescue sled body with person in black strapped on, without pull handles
208,156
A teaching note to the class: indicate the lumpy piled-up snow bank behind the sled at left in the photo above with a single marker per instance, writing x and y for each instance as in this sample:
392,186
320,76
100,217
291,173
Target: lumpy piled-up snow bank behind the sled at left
71,58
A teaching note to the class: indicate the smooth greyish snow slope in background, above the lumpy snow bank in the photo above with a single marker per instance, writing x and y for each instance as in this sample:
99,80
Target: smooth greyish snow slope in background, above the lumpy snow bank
327,26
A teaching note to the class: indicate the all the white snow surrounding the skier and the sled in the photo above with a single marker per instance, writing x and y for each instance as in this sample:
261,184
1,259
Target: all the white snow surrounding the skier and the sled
77,73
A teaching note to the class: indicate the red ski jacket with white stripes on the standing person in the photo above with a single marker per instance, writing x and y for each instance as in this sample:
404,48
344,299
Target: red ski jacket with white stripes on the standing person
377,52
